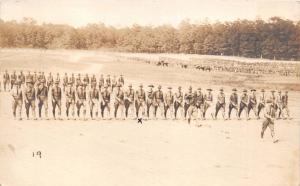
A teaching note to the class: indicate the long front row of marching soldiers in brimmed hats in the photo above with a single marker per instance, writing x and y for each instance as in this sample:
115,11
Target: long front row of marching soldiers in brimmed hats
135,104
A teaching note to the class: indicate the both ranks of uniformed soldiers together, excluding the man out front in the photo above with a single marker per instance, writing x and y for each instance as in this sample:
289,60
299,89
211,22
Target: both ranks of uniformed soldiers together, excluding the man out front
88,97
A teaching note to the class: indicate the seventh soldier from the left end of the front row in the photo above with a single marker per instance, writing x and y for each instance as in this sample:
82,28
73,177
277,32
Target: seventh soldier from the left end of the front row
94,100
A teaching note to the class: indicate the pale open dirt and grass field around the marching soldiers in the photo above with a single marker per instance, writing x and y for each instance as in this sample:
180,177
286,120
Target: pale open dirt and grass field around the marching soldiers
156,152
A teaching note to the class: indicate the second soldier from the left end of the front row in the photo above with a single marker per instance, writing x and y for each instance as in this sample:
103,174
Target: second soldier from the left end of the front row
29,97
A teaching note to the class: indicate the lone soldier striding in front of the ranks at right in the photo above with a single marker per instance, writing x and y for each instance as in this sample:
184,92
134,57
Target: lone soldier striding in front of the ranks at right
269,120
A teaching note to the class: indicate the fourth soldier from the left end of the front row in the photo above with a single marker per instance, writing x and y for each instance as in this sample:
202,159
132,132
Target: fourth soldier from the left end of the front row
56,99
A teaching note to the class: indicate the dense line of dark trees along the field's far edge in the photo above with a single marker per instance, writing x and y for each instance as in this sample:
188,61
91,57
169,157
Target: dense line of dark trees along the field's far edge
276,38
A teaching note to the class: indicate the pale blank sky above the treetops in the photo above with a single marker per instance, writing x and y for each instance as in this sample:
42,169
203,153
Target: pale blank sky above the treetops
146,12
